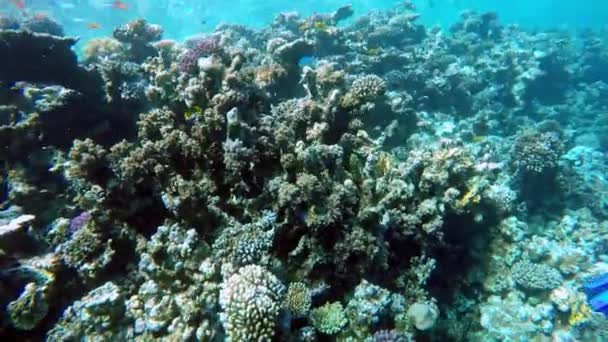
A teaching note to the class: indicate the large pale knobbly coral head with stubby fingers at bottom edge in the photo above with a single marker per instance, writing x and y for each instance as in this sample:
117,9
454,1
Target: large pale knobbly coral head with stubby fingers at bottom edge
250,300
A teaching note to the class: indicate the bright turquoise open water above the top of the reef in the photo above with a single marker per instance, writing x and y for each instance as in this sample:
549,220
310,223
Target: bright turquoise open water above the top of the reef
182,18
